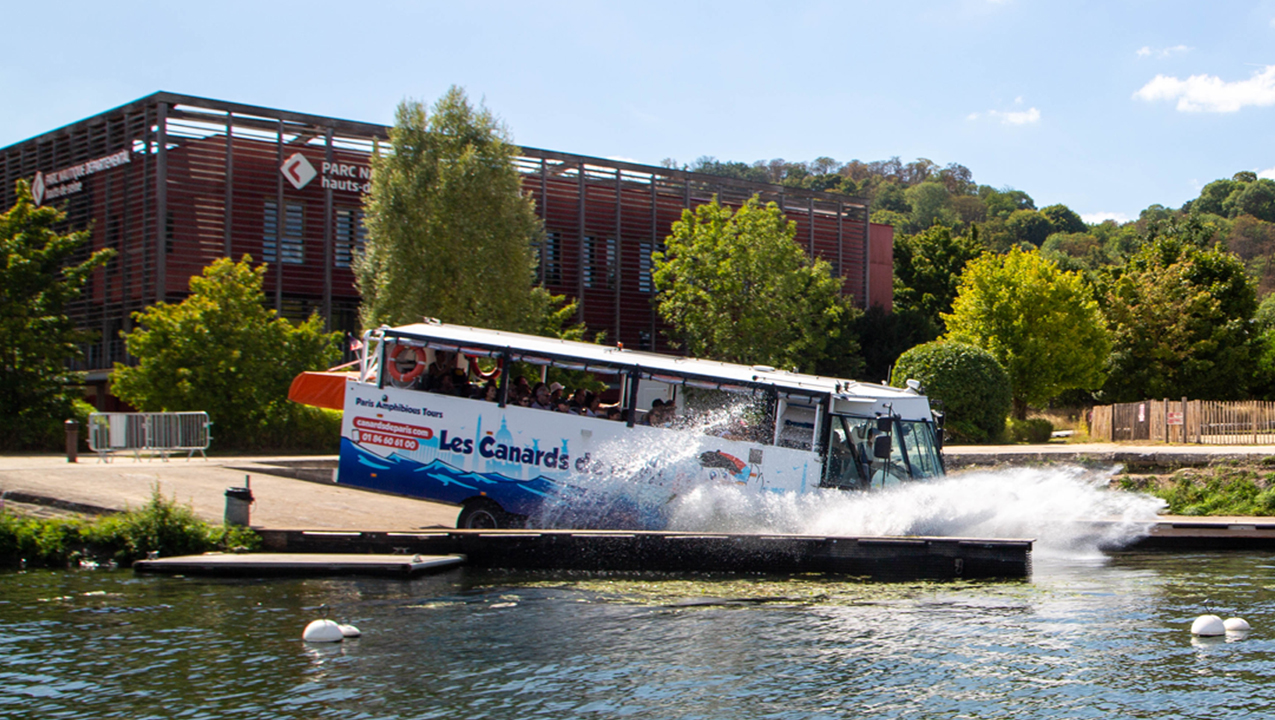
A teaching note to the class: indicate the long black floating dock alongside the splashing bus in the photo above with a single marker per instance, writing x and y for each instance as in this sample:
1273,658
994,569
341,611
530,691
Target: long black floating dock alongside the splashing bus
887,559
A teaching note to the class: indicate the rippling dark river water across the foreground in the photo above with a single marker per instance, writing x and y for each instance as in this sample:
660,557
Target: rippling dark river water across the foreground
1089,635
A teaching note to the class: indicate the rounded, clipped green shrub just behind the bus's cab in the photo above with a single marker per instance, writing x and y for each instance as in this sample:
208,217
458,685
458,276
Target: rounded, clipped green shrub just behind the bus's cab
972,388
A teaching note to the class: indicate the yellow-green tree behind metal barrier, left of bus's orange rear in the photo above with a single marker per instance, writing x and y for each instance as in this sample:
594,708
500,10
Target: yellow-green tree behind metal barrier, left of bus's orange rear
224,352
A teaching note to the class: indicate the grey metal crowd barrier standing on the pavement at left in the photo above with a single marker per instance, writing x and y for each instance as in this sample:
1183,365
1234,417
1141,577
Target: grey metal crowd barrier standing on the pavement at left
161,434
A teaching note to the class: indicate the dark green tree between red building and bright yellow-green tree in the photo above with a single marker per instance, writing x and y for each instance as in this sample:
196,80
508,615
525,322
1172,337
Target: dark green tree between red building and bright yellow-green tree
928,270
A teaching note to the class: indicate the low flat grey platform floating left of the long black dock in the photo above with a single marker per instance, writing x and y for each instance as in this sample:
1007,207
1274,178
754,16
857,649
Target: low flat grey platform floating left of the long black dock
258,565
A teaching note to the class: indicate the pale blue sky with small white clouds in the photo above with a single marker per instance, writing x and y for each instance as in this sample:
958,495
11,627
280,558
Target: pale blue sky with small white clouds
1107,108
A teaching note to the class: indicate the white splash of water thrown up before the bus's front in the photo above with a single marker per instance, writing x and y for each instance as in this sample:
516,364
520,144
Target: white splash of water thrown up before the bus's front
1067,510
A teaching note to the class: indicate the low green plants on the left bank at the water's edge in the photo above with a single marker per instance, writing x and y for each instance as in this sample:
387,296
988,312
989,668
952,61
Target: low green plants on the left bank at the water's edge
161,527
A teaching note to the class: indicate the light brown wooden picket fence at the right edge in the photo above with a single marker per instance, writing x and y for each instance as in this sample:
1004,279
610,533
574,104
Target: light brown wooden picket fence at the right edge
1204,422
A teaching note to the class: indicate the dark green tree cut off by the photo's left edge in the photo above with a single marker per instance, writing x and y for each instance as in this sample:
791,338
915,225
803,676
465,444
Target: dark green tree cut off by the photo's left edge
38,280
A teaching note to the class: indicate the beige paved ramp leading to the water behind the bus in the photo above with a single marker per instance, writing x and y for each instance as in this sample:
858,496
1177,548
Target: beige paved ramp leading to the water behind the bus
281,503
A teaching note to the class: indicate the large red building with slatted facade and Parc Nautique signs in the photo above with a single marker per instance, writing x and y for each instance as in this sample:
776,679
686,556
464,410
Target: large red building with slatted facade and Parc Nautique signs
174,183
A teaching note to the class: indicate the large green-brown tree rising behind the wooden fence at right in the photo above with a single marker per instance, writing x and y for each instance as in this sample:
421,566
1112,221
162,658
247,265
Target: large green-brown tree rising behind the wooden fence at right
1179,315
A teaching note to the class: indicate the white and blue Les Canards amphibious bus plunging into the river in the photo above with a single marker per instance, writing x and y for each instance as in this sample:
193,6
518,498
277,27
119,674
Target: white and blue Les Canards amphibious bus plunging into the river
522,430
